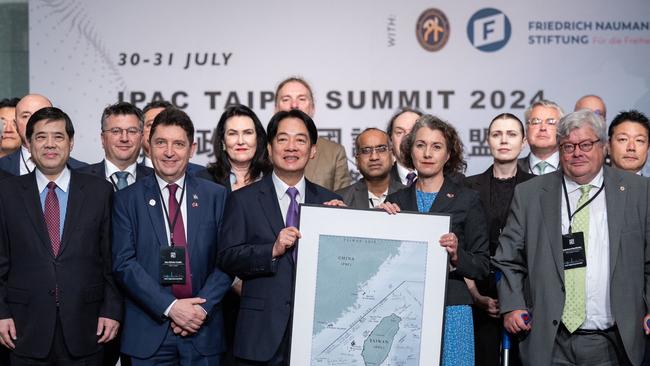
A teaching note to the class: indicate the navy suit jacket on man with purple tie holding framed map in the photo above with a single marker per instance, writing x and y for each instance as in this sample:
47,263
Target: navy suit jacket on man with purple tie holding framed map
252,222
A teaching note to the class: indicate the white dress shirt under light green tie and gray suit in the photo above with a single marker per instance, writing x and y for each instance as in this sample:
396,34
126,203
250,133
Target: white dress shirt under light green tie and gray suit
599,312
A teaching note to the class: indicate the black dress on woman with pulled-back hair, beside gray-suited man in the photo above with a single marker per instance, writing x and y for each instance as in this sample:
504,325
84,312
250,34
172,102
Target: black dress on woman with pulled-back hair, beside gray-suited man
496,195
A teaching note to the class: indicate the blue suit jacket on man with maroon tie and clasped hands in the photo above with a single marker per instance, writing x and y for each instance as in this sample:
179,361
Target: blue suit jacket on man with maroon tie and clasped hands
138,234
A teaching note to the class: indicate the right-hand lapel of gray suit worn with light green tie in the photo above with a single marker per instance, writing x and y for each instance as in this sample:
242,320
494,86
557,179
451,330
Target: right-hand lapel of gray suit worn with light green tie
615,200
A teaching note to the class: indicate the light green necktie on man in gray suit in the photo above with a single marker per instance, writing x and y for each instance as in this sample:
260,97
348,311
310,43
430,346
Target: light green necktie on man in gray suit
575,310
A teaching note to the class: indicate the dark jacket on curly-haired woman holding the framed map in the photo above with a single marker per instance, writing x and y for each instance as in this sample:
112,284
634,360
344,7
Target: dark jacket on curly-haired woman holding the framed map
469,225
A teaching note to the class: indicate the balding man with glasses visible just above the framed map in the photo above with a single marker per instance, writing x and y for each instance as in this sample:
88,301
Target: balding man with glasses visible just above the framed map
374,163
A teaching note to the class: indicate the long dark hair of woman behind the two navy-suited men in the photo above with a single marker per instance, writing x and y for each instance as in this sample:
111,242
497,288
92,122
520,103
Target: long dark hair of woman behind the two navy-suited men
260,165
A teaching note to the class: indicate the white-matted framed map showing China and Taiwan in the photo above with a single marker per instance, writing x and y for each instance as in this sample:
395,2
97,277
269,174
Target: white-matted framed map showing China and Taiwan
370,288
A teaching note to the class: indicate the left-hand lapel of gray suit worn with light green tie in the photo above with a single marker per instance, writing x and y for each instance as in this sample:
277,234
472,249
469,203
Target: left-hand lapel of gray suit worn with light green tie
550,200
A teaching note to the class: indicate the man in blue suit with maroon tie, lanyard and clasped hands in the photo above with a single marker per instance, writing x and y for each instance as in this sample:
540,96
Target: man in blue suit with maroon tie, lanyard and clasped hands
173,311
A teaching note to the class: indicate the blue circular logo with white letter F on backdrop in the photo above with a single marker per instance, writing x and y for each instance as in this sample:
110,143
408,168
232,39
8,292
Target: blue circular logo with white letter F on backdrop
489,30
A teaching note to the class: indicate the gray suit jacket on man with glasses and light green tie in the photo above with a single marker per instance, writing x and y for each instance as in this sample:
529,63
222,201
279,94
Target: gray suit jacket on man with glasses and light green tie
531,246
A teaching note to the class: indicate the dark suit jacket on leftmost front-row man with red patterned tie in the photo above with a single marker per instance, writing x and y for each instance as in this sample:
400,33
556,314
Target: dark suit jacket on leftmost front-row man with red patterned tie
29,273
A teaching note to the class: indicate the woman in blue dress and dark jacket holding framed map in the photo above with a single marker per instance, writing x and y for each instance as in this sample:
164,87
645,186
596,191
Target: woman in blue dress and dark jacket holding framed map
435,151
